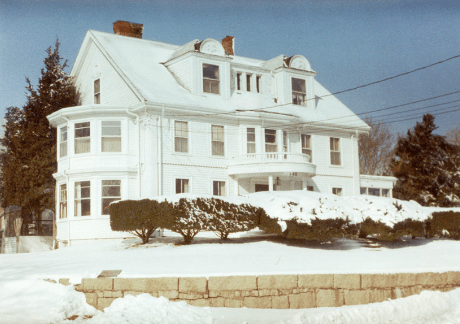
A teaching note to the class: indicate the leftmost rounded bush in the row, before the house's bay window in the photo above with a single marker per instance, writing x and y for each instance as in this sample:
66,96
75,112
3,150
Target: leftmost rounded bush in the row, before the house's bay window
138,217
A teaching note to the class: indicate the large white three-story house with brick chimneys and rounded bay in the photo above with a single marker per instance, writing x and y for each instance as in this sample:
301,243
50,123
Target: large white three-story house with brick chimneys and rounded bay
160,119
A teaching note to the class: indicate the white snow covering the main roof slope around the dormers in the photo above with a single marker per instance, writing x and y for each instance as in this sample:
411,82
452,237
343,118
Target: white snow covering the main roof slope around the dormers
141,61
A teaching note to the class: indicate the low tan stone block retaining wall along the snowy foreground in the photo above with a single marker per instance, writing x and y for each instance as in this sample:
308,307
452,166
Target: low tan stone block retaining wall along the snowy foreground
270,291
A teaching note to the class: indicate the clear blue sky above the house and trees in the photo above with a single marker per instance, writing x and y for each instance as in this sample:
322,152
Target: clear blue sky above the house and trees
349,43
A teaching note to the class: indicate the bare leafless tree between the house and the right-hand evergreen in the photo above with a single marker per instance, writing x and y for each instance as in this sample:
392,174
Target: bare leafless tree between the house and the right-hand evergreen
376,148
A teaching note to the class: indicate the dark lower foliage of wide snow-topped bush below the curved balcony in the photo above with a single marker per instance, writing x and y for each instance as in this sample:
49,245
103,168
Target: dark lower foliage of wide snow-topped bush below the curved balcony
319,230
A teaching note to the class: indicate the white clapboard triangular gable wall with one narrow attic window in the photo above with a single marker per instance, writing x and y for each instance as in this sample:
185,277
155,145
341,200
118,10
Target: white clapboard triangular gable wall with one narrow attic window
114,90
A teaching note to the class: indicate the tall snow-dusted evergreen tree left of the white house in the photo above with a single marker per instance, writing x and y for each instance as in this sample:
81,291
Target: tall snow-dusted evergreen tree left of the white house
29,159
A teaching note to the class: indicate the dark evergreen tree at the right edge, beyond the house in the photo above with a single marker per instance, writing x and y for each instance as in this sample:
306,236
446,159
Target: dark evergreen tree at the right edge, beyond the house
426,166
